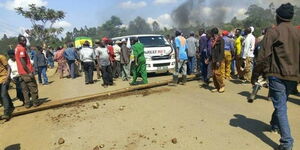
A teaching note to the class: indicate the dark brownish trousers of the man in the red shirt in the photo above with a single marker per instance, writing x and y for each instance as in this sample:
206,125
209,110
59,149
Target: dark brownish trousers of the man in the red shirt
29,88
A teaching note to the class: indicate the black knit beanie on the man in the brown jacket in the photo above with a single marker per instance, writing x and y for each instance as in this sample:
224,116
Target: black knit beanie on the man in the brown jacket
285,12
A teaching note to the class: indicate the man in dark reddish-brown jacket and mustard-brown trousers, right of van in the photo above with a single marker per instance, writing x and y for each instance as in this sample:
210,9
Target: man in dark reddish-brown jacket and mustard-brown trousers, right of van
217,57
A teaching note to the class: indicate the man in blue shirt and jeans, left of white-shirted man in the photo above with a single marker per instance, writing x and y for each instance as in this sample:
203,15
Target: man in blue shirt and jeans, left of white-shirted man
71,56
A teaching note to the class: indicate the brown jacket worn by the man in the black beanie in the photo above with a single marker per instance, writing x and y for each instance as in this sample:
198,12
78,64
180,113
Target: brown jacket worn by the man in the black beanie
280,53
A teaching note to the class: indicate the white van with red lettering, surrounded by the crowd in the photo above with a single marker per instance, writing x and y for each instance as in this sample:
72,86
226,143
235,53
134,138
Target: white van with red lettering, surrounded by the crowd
160,56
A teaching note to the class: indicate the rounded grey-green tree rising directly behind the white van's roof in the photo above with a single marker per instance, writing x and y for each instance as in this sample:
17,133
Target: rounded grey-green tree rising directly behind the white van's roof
139,26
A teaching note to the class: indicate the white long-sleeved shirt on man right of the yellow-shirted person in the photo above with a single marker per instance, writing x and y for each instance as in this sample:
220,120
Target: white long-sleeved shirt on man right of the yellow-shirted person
248,46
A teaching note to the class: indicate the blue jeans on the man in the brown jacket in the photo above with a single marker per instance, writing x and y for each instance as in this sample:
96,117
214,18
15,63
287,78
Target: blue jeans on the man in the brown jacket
279,92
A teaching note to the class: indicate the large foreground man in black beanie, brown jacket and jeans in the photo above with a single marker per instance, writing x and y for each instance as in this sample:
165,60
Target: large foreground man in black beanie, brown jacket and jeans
279,60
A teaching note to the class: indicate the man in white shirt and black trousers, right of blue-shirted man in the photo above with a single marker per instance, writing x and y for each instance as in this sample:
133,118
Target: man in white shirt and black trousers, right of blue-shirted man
87,56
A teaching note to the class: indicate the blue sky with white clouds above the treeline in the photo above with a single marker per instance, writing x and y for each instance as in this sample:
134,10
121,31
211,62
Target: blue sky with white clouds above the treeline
92,13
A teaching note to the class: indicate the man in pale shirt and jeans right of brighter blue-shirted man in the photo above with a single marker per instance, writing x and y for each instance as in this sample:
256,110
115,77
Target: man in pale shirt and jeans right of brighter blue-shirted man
192,44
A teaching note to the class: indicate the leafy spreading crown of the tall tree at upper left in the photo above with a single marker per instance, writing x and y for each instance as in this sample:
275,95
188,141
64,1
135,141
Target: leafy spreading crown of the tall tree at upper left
42,20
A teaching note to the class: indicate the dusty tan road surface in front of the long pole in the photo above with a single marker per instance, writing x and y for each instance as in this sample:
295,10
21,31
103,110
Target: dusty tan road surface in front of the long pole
149,120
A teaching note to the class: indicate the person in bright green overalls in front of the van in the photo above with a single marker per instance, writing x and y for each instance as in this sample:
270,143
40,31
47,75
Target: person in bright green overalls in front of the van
139,65
